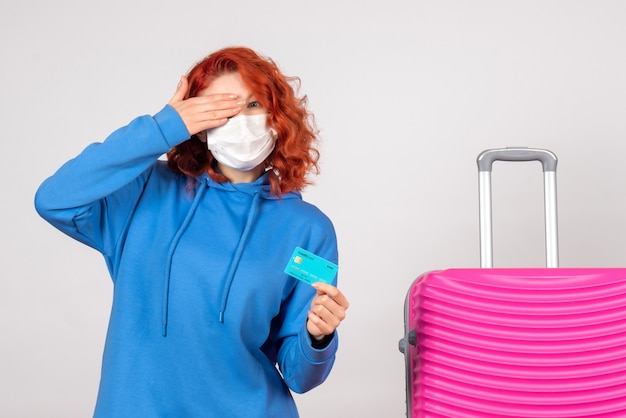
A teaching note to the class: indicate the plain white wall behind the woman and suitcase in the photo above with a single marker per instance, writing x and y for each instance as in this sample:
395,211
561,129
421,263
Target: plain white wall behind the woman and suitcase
406,95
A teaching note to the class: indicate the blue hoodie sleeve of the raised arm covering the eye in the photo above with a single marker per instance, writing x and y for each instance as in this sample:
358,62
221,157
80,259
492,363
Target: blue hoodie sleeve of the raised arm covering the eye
90,197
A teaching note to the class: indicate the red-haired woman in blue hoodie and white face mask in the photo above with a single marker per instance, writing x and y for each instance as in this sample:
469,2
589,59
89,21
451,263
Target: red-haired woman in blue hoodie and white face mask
204,322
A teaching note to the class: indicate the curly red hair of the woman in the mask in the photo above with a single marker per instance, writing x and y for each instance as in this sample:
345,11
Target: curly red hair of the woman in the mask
294,154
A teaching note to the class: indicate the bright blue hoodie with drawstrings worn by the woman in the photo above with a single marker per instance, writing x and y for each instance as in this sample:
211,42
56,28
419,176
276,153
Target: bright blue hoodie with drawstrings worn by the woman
204,322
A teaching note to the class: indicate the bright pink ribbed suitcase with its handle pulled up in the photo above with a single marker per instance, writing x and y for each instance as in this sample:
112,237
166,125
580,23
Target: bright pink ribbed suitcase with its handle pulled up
494,342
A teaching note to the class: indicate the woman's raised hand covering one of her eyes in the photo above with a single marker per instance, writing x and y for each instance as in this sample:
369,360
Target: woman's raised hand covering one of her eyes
203,112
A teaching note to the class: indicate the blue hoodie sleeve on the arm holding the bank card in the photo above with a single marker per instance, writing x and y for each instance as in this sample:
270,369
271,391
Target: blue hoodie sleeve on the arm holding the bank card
302,365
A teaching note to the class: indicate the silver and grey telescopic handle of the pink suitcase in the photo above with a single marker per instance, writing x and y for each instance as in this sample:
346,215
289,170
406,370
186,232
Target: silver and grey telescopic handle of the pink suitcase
548,161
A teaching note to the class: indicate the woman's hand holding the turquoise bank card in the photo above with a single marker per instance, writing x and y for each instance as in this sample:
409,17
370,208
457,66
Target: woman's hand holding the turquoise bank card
328,309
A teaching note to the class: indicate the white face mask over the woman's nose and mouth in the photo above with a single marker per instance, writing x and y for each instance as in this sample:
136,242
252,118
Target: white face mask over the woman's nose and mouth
243,142
